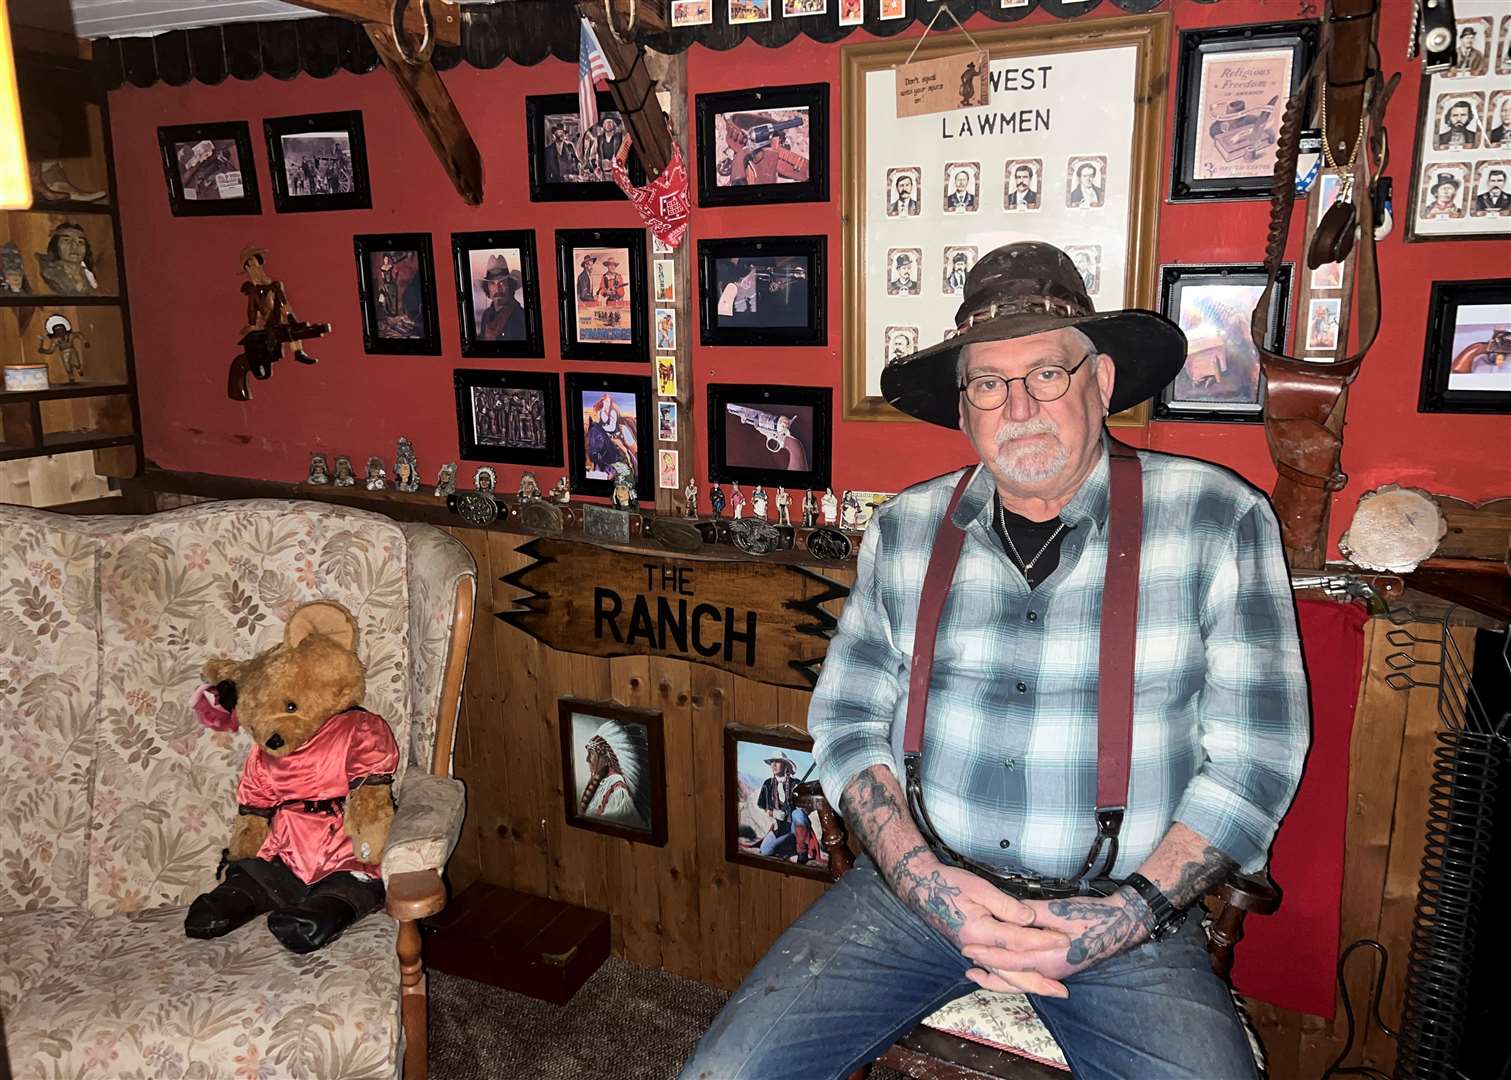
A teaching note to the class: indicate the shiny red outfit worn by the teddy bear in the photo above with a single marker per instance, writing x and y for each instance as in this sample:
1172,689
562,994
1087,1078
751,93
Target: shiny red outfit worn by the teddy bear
314,845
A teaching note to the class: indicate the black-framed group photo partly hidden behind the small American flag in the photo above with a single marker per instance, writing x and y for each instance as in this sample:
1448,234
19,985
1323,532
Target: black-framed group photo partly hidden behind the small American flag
569,164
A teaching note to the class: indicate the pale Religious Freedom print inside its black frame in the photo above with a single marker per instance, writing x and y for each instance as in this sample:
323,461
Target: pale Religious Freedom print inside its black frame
1238,113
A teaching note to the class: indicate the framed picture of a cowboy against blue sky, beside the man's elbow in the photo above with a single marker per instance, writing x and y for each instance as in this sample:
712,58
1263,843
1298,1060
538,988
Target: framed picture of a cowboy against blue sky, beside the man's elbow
762,825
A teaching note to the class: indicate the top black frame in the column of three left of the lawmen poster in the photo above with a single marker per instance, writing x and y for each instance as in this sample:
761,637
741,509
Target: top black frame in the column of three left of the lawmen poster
815,97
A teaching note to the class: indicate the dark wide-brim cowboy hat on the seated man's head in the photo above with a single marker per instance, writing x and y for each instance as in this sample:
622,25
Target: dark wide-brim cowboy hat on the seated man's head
1025,289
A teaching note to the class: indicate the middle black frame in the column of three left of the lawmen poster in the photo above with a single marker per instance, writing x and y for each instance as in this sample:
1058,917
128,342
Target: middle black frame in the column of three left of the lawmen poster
731,330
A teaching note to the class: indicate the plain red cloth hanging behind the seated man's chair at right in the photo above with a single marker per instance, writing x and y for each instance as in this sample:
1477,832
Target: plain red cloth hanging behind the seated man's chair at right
1291,958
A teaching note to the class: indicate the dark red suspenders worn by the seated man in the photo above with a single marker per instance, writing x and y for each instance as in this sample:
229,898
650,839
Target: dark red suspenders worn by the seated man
1116,665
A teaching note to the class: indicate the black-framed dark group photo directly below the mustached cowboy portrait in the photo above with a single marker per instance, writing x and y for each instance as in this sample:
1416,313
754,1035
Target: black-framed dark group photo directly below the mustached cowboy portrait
513,418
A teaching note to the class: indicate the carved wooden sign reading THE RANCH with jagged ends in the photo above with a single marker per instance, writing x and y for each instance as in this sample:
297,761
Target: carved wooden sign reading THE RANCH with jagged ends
762,622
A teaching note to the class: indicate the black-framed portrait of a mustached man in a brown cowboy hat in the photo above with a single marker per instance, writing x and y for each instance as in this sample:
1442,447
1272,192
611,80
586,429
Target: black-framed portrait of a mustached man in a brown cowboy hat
498,294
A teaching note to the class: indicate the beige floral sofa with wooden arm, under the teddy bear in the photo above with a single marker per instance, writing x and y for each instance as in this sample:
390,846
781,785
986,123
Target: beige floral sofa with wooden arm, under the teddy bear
117,801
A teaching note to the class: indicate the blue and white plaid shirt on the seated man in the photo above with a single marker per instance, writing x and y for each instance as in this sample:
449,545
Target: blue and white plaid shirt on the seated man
1010,750
